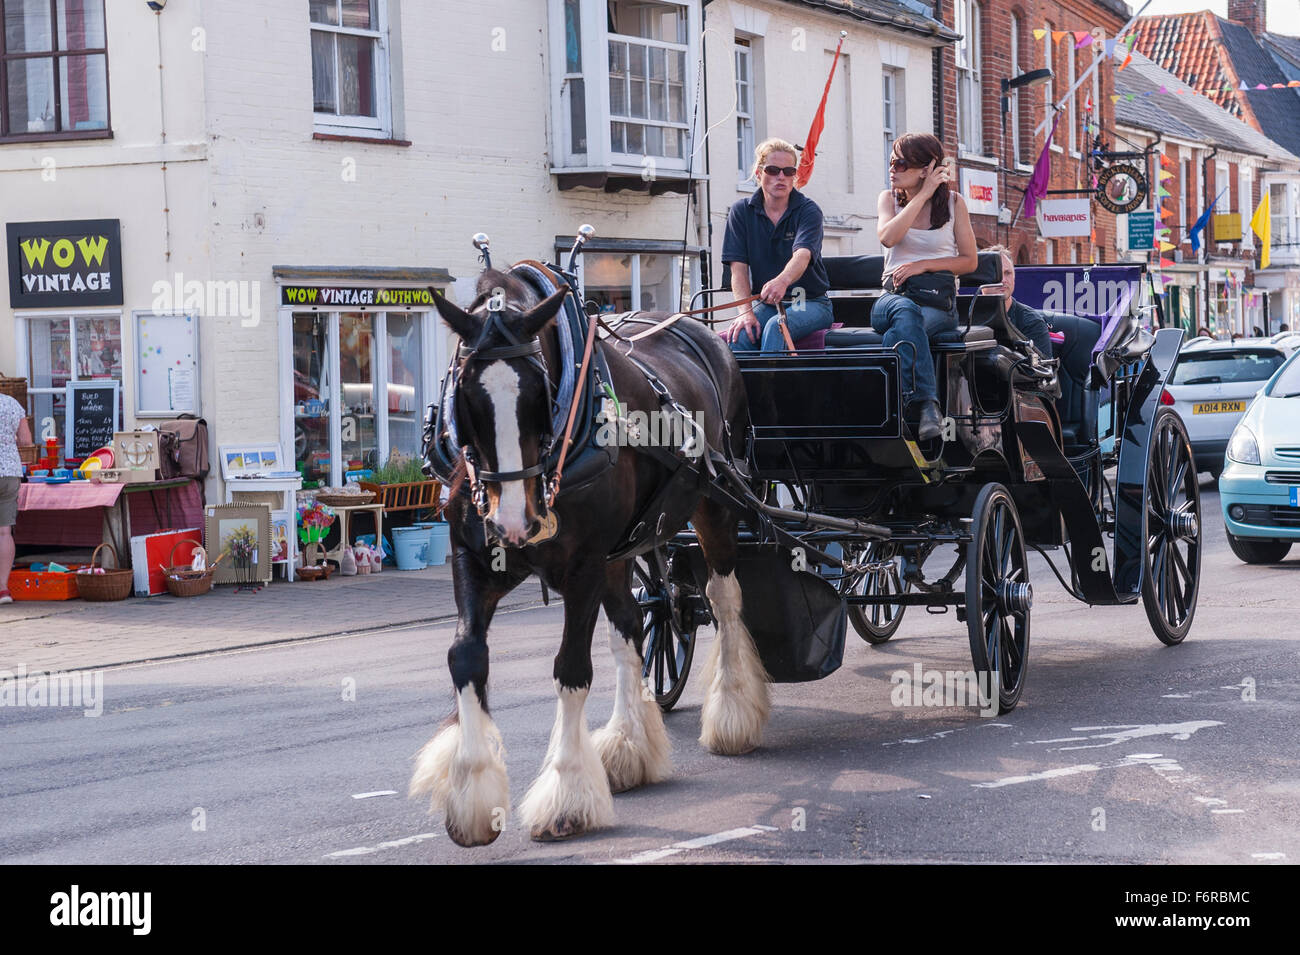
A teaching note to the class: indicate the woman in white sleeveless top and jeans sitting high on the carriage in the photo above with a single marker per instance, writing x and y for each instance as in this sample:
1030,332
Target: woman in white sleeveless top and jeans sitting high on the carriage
925,228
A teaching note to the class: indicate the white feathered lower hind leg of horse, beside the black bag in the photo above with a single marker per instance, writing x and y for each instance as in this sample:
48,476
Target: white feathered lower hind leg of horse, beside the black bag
736,693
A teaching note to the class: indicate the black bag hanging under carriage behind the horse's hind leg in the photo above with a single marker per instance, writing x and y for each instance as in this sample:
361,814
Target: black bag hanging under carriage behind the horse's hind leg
796,618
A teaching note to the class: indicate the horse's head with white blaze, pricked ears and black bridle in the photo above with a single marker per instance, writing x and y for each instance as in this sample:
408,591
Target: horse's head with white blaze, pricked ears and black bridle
504,402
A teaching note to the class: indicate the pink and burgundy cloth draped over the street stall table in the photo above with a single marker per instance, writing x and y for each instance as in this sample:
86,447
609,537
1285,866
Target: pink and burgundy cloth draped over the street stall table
73,515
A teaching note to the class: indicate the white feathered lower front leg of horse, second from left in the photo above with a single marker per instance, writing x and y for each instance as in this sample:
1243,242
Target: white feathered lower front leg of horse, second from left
571,793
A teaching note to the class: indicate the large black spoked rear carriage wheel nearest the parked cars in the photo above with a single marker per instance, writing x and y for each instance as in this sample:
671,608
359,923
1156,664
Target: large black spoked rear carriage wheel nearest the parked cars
1172,561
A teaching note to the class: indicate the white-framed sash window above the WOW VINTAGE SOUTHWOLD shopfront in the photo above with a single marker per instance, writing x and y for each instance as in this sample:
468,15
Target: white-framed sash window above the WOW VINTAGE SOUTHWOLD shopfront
350,67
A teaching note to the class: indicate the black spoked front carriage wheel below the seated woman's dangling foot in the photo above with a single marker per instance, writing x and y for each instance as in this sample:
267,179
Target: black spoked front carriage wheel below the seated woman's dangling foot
999,597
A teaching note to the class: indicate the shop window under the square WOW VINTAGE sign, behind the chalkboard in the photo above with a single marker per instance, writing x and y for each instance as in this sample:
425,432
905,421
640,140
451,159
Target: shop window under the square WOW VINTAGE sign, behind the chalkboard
70,349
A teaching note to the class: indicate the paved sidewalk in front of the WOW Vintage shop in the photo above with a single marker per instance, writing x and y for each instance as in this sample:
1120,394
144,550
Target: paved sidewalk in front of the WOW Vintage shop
76,635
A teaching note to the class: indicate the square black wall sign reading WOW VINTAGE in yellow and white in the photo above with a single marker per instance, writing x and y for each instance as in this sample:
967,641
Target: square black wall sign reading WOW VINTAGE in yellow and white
66,264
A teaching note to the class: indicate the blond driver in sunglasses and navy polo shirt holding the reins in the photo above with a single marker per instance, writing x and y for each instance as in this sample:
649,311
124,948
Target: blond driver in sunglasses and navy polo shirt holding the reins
774,248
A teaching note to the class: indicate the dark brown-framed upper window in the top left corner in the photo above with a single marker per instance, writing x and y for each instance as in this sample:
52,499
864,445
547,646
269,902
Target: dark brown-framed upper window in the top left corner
54,70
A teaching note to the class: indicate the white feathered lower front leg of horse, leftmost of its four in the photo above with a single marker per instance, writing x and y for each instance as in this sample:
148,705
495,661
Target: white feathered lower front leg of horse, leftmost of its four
463,771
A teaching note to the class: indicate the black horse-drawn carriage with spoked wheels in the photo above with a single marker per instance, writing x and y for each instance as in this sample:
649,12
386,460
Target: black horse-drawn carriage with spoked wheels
846,510
